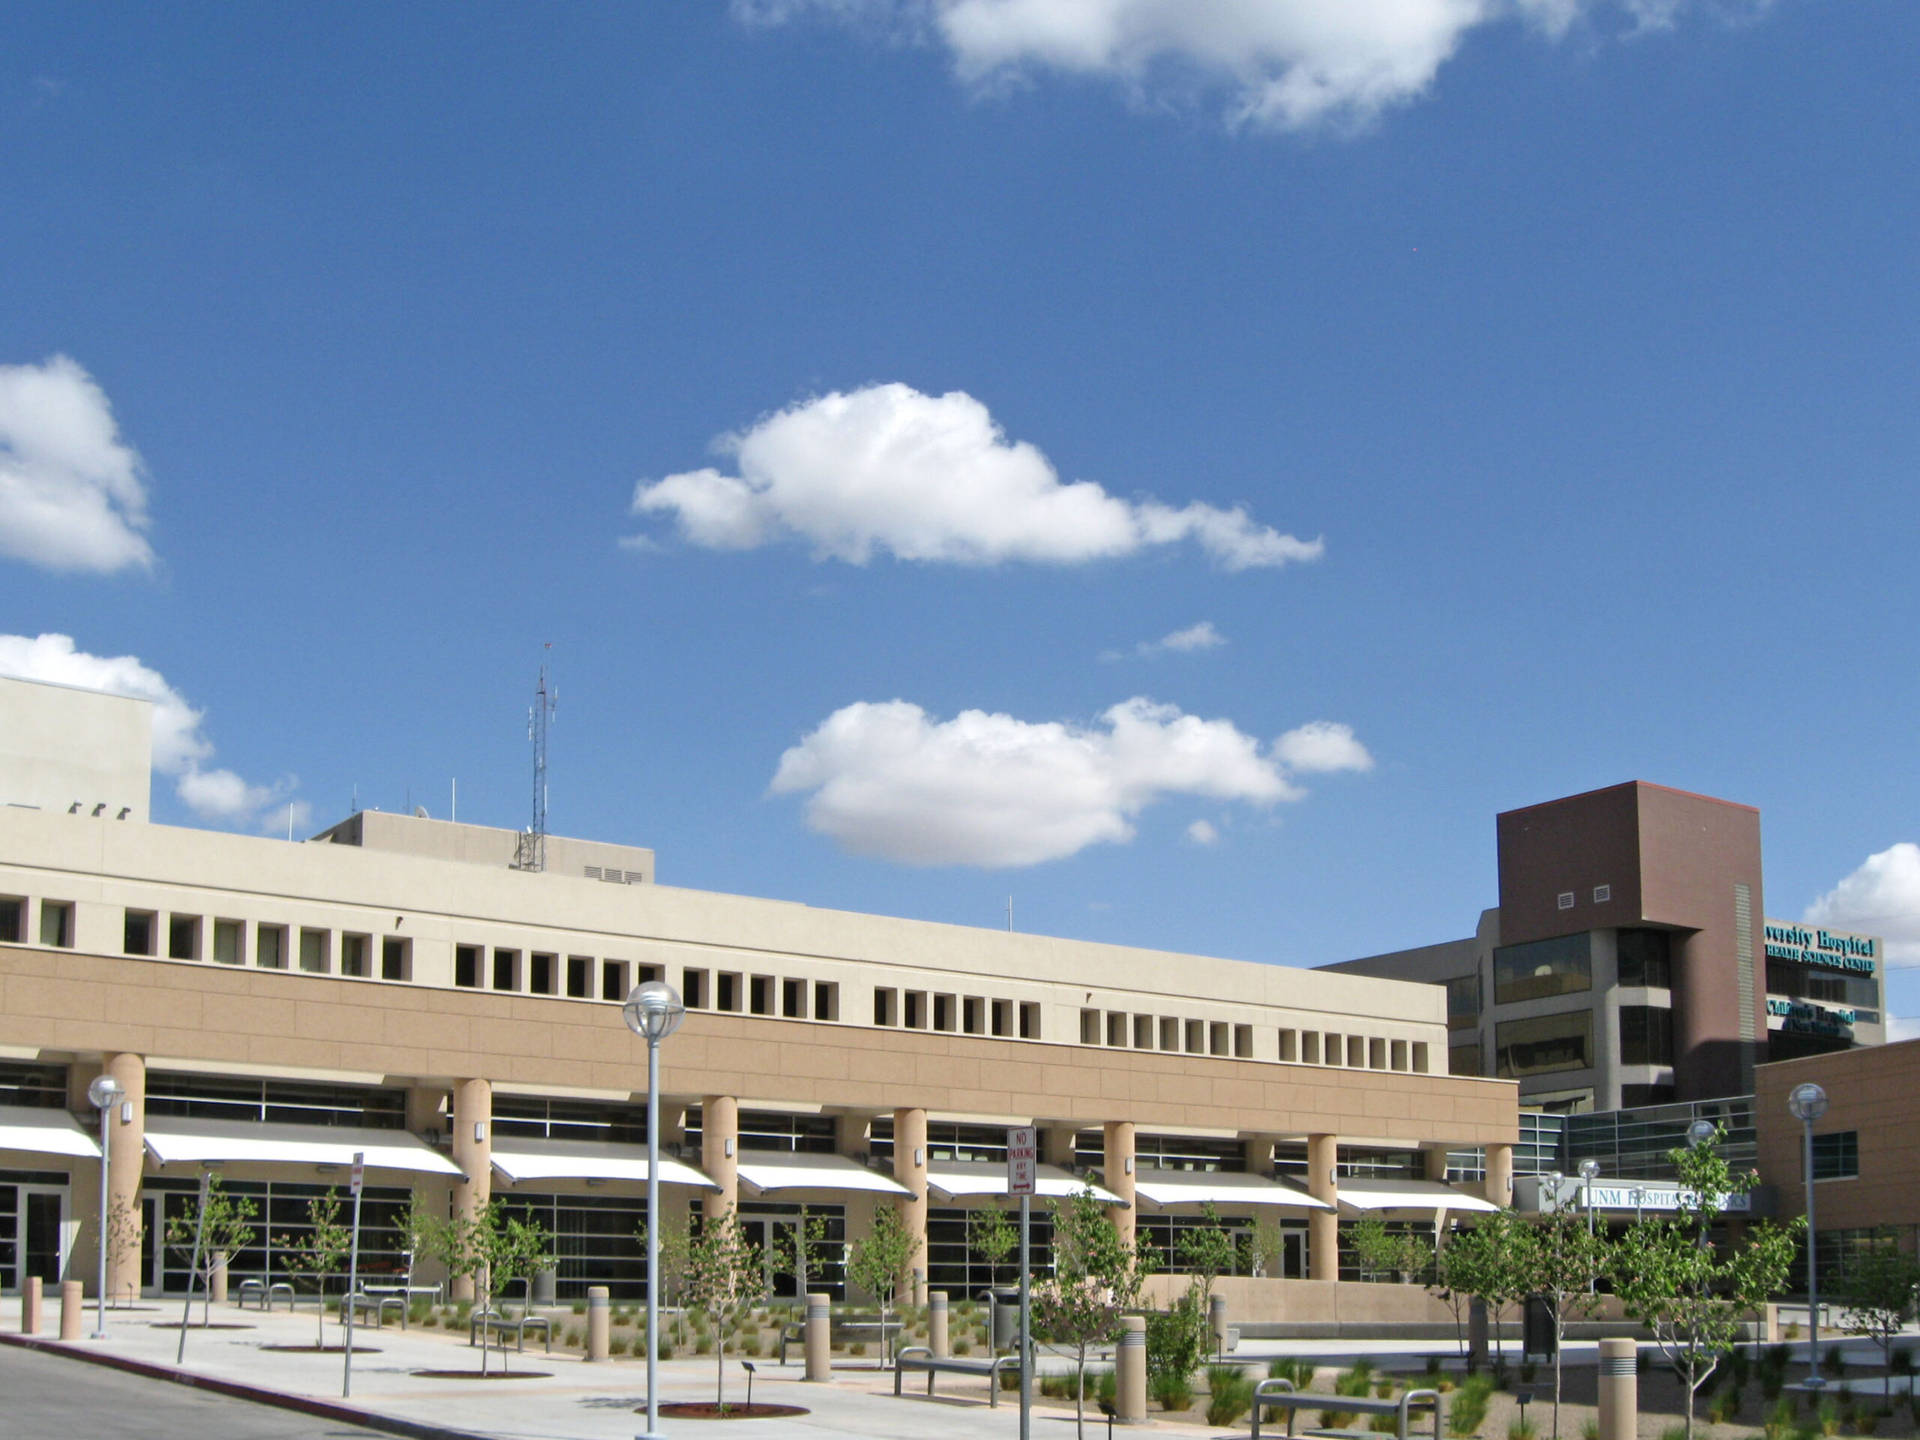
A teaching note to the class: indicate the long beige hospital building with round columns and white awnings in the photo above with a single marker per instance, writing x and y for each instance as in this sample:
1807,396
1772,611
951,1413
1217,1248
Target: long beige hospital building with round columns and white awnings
402,988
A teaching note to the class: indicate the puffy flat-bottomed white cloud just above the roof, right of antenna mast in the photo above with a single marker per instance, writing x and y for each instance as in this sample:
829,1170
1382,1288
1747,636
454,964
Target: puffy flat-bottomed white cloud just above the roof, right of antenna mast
990,790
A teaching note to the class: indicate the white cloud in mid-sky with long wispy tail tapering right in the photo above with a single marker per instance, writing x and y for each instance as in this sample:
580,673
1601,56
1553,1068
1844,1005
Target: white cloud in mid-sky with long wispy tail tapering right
930,479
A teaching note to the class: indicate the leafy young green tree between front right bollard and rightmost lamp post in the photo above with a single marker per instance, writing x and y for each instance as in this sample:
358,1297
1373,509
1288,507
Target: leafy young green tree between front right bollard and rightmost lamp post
1671,1280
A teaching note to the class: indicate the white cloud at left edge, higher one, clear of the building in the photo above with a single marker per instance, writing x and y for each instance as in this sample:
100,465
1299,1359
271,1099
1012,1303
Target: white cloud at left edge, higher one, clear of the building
72,496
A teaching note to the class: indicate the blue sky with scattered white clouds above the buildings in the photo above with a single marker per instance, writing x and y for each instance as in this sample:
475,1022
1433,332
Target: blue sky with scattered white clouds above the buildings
1493,402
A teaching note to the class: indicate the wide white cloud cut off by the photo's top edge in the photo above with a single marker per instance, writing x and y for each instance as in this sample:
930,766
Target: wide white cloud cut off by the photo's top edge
1278,64
